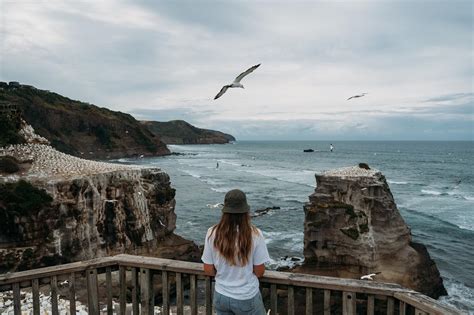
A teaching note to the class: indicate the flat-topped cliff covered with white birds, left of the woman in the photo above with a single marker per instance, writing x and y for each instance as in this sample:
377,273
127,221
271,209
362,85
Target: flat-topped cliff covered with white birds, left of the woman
112,209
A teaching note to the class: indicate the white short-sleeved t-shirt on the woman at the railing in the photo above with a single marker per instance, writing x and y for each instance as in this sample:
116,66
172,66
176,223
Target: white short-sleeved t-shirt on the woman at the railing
237,282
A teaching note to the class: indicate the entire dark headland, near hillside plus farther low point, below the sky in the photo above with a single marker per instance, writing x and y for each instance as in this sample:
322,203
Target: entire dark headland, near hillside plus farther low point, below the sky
88,131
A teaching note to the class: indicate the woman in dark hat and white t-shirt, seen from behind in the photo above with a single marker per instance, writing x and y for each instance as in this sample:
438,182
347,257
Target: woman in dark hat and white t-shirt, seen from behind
235,253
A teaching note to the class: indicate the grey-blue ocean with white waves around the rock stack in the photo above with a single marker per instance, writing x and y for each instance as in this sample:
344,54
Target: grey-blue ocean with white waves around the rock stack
432,183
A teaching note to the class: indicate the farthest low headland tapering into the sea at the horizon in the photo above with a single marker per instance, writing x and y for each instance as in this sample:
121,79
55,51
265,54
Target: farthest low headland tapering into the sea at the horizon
181,132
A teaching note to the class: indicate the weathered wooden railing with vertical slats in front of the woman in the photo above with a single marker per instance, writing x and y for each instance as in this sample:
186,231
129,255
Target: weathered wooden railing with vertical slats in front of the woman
284,293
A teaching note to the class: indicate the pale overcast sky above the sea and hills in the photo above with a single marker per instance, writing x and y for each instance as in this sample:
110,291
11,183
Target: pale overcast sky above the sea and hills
164,60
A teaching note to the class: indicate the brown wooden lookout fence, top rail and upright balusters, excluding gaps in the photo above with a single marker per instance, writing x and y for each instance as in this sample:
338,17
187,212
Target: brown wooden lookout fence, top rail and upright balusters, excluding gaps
397,299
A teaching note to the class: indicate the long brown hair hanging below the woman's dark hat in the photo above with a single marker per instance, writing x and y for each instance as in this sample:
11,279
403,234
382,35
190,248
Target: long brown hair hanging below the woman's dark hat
233,237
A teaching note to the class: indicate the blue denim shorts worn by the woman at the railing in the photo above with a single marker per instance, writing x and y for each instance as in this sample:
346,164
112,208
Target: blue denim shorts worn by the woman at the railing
225,305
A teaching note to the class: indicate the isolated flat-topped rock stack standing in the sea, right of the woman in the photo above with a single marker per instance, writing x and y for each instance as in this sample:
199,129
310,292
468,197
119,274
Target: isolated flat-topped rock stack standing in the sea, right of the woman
353,228
